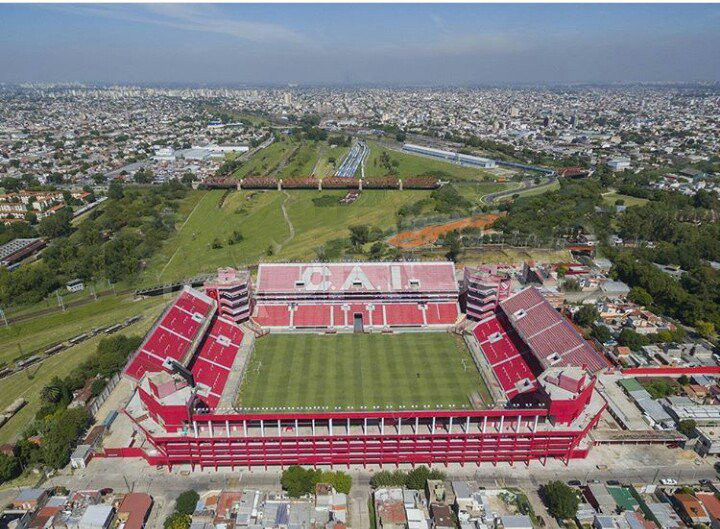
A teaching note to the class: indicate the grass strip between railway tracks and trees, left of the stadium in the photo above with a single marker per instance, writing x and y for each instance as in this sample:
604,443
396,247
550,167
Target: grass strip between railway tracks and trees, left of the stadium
29,383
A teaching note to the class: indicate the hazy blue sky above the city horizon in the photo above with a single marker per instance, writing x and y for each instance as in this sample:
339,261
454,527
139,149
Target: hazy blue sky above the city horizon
330,44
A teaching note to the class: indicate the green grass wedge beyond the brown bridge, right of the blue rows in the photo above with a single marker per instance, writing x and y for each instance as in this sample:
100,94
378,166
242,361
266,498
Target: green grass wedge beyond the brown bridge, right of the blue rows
414,165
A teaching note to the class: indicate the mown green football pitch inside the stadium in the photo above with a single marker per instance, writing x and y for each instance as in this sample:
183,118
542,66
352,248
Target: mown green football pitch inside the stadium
373,371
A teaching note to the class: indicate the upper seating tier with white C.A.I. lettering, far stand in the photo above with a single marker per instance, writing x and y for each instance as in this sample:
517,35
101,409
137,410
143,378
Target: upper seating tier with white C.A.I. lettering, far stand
356,277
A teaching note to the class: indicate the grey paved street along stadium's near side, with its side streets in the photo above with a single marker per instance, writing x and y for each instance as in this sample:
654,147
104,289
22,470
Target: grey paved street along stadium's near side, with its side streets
626,464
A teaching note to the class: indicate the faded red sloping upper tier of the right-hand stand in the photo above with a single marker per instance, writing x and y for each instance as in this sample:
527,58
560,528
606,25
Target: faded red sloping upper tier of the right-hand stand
550,336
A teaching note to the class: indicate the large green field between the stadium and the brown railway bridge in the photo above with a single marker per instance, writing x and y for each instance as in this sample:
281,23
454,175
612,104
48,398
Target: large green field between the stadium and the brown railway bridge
257,215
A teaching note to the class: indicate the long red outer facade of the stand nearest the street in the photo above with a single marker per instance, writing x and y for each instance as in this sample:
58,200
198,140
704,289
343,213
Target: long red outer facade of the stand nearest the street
482,436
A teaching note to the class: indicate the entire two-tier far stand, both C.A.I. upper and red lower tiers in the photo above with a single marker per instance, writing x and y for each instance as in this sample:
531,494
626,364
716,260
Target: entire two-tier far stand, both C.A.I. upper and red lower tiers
334,295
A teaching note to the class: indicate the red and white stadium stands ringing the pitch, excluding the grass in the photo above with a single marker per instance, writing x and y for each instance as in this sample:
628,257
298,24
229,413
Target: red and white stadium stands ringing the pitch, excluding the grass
189,367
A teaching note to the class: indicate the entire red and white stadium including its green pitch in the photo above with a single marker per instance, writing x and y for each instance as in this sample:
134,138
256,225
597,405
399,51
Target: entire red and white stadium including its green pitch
360,364
